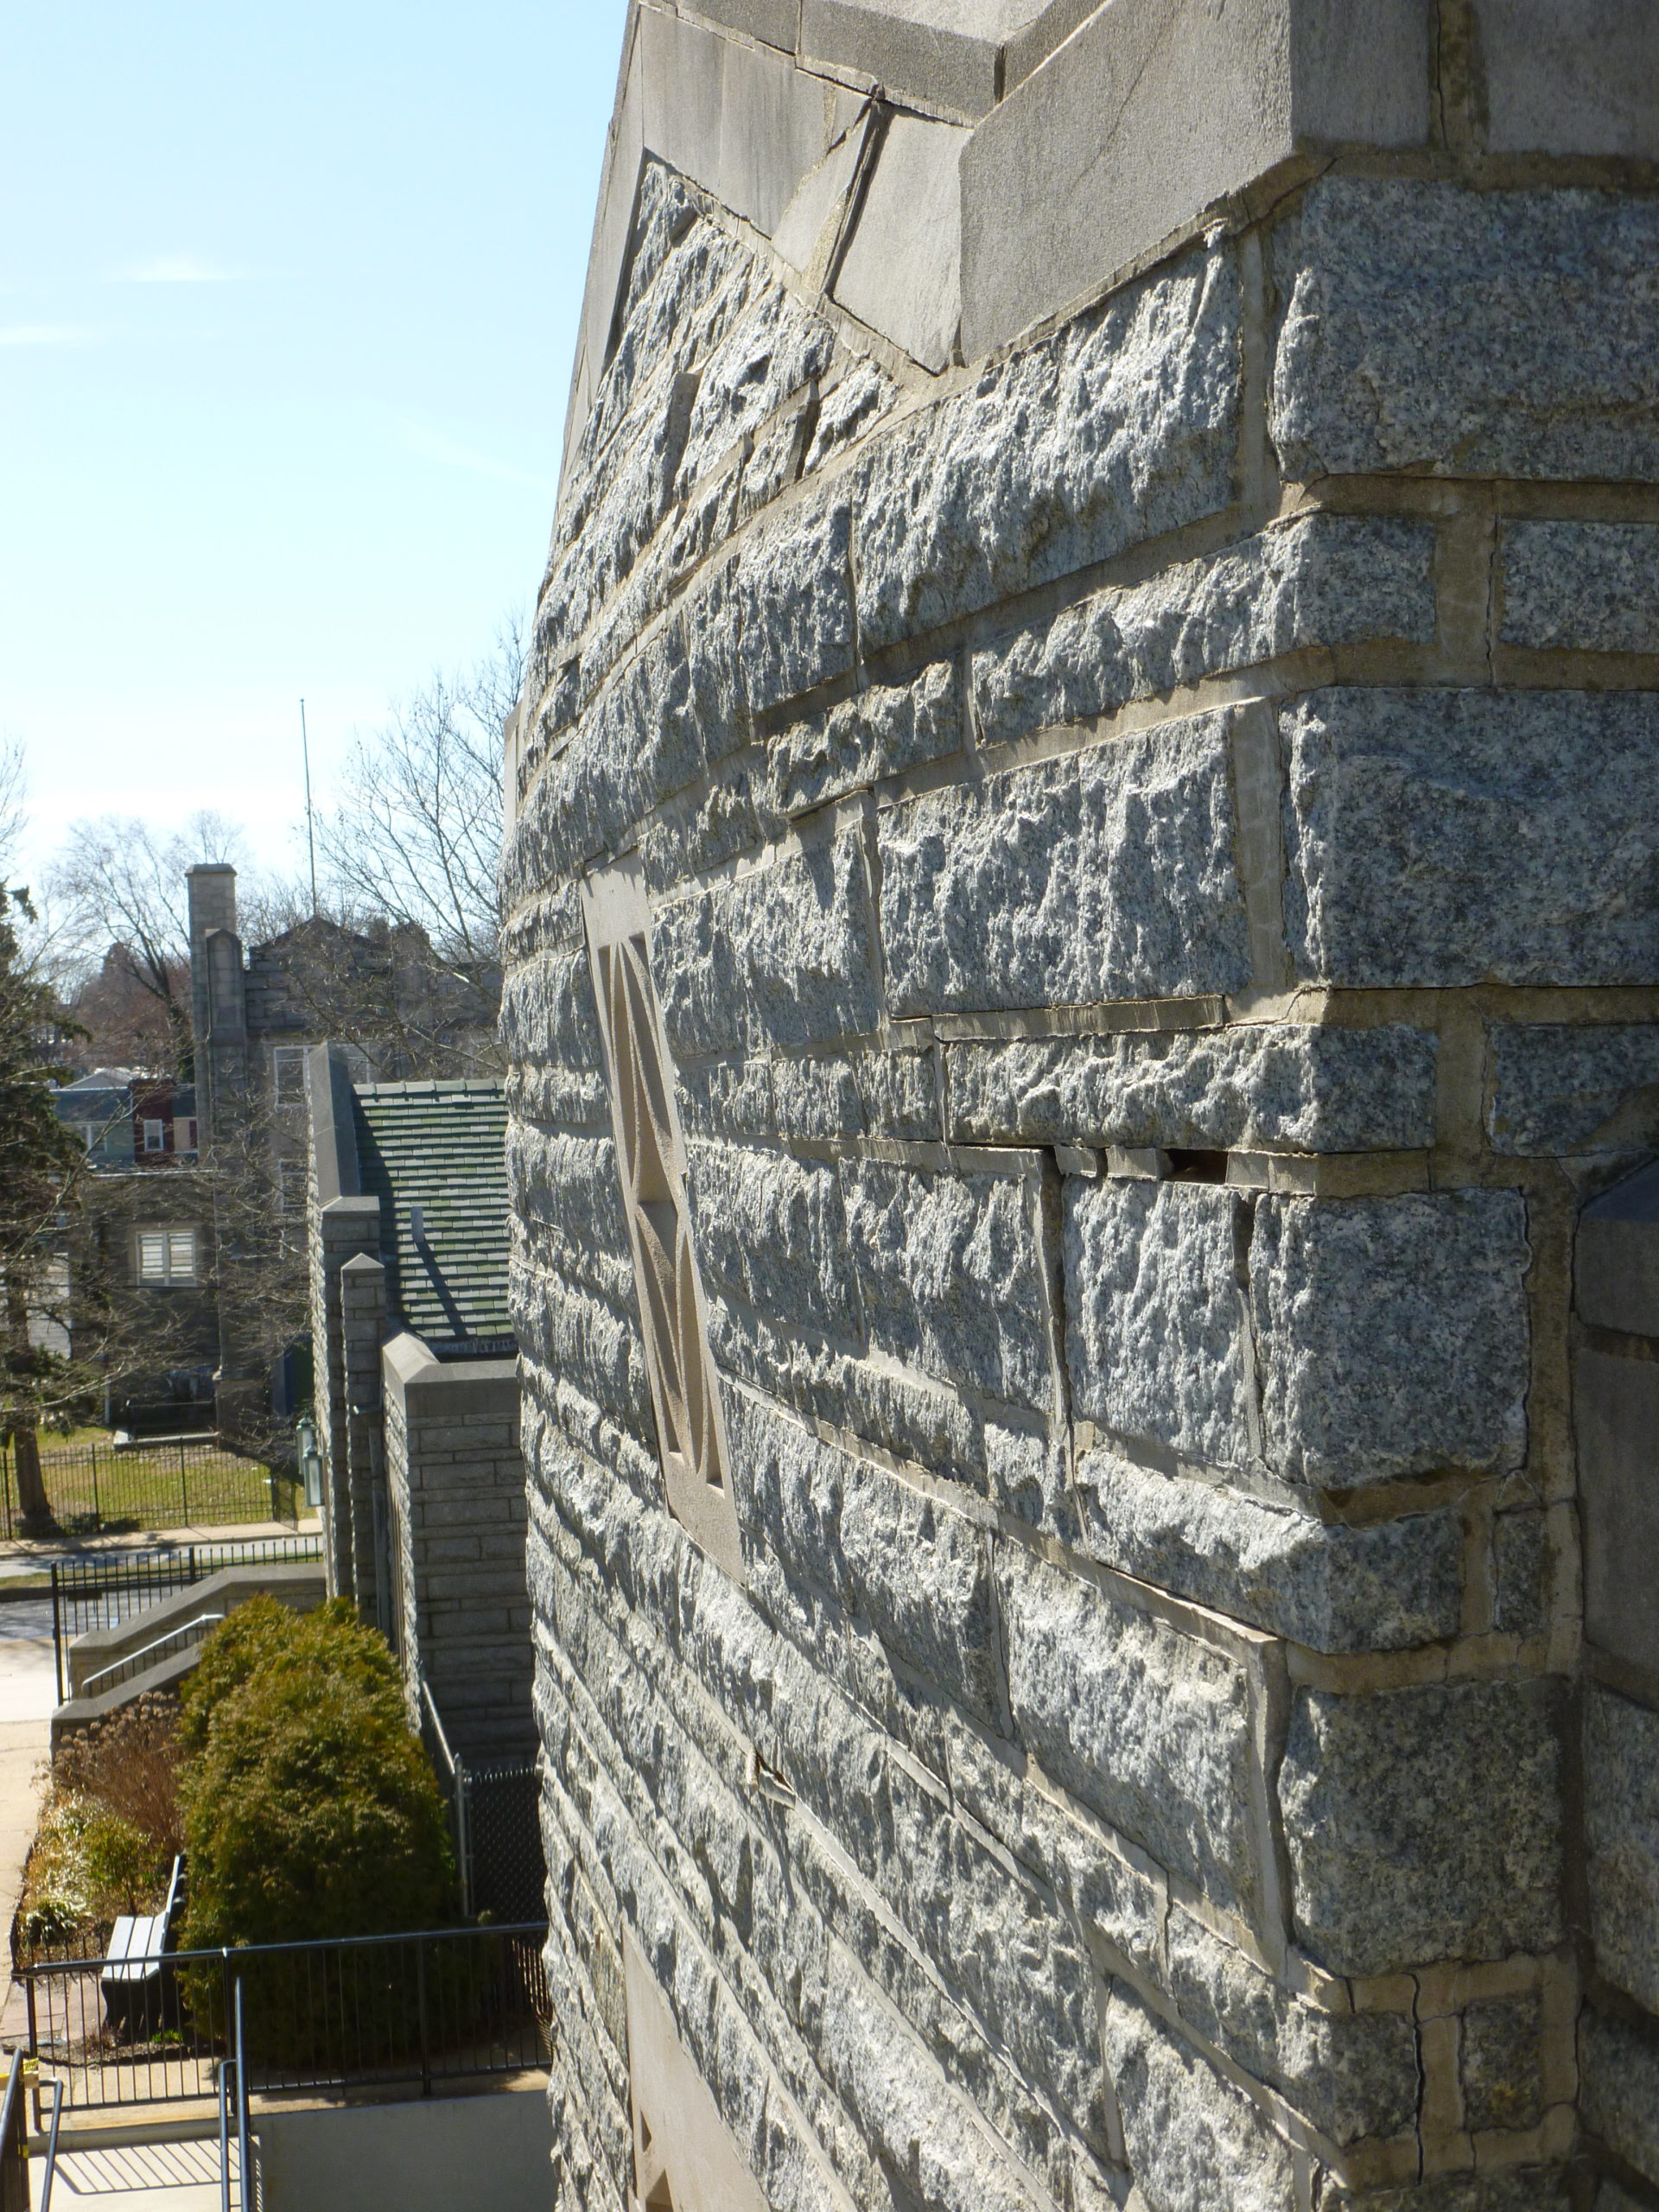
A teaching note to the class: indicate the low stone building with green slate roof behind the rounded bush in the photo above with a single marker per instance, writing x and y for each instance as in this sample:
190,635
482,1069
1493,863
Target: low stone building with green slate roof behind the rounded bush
417,1392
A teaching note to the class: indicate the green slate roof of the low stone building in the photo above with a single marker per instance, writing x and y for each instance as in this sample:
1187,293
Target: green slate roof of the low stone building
439,1149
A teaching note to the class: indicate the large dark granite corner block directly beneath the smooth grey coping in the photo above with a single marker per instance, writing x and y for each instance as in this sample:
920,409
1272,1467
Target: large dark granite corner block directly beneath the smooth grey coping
1468,333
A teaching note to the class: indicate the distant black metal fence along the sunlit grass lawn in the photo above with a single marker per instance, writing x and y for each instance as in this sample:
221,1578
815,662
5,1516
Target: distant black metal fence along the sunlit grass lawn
171,1483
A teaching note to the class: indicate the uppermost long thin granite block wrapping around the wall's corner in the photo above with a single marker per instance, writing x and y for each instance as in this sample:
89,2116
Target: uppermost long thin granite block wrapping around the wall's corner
1326,581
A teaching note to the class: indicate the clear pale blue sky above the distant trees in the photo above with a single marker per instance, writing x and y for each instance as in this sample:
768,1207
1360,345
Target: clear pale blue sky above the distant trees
289,298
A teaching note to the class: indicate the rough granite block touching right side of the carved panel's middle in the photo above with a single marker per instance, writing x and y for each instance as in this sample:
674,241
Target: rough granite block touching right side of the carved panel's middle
773,1229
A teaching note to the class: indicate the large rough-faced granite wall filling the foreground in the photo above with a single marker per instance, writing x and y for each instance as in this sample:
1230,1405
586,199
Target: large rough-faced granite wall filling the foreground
1149,842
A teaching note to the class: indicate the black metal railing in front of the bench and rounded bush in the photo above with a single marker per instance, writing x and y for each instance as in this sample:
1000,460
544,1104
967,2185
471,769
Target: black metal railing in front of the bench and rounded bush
435,2007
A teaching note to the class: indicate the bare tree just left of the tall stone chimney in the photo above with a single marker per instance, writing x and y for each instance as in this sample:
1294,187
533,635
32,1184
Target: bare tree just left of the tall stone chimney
125,919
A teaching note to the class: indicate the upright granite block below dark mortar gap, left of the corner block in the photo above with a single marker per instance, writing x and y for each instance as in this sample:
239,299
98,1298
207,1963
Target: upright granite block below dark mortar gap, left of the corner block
1156,1315
